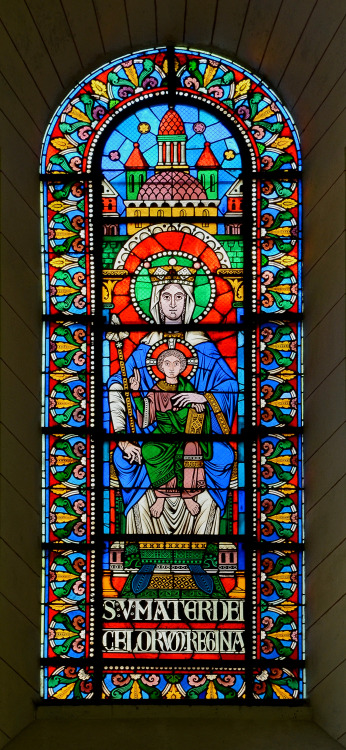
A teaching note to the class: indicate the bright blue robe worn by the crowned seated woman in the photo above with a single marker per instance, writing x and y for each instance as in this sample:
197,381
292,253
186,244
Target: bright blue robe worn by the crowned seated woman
213,376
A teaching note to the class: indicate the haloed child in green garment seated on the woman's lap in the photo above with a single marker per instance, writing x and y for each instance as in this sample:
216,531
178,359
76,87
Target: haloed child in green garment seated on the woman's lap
174,463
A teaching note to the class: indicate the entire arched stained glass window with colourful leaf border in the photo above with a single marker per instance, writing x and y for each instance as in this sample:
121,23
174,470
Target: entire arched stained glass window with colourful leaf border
172,387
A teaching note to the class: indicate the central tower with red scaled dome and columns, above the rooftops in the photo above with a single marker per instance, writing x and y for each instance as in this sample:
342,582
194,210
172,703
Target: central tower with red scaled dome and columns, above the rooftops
172,142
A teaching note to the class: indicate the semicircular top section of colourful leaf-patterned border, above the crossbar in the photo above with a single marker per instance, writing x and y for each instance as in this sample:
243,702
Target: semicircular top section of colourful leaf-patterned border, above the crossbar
110,90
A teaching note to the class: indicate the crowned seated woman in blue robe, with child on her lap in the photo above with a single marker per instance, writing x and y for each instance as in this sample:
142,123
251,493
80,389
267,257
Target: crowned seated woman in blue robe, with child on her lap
182,391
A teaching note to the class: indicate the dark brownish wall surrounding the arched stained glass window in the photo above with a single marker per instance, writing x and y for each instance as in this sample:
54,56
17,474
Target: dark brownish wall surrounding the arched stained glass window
46,48
